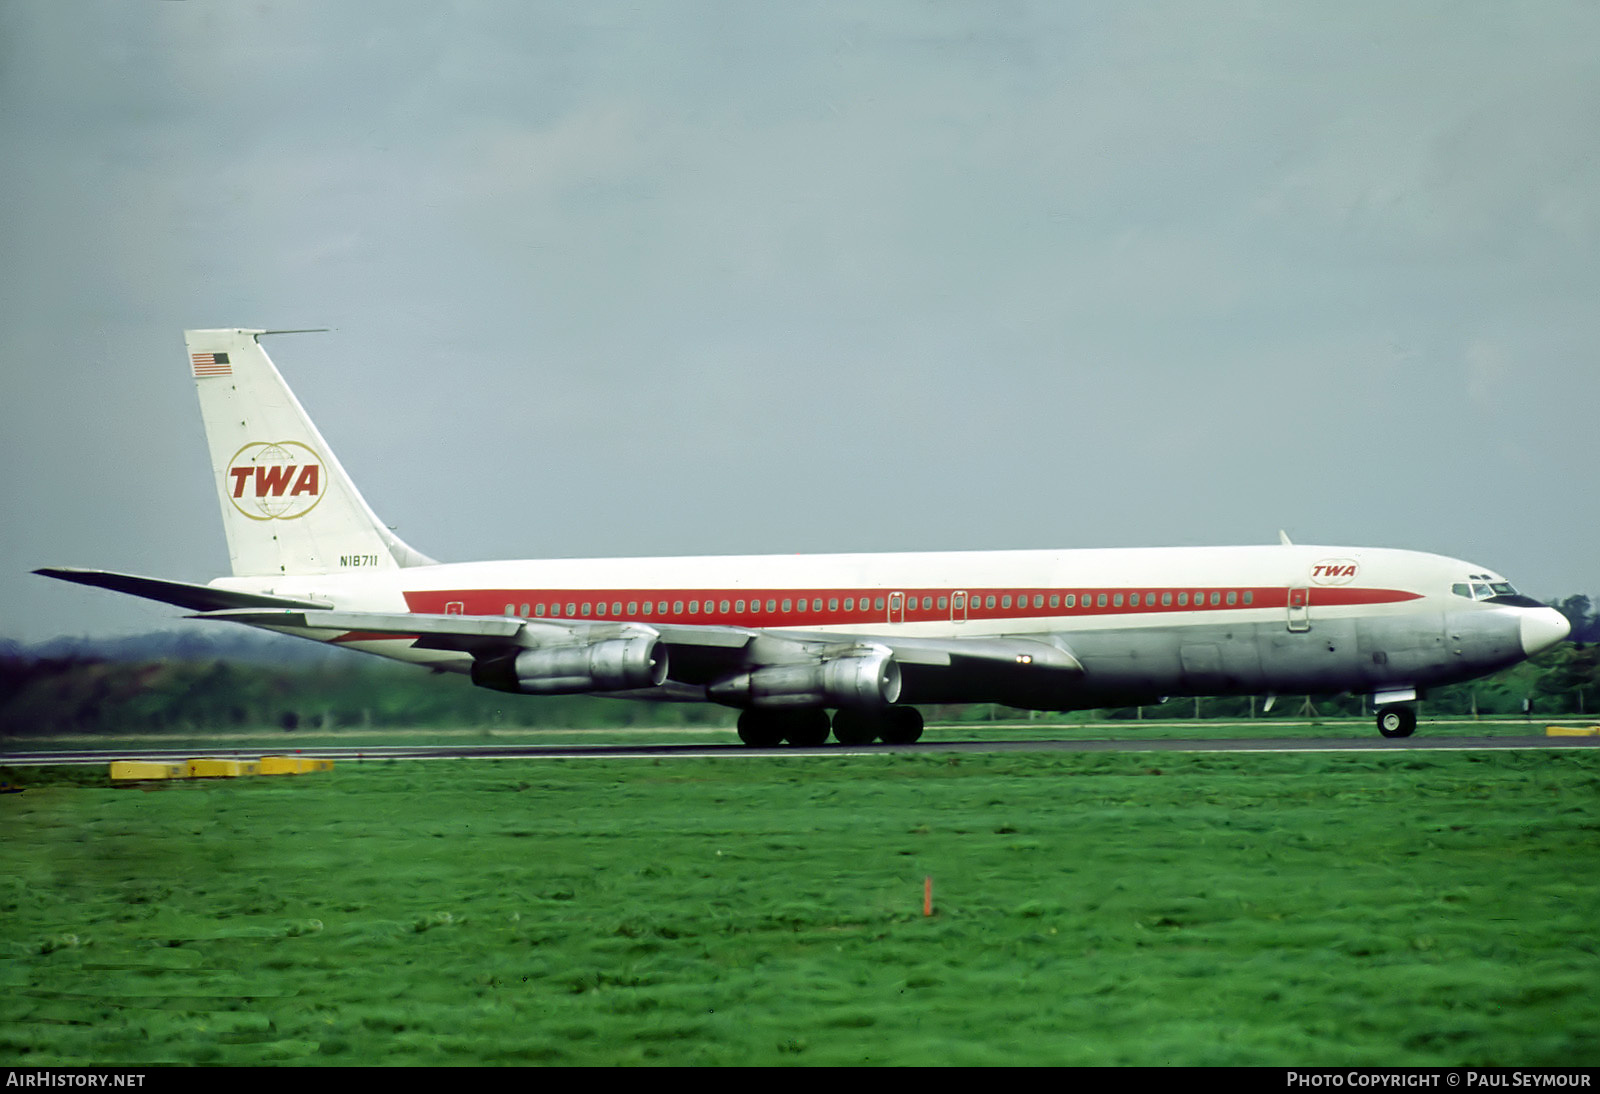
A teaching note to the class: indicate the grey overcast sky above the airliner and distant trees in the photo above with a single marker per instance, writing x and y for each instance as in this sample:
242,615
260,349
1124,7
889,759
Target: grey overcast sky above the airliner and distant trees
660,279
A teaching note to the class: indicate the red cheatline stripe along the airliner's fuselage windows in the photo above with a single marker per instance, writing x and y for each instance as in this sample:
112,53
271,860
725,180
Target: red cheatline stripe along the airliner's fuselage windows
826,607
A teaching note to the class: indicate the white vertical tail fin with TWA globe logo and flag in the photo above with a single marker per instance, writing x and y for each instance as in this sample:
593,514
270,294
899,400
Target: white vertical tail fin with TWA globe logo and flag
287,505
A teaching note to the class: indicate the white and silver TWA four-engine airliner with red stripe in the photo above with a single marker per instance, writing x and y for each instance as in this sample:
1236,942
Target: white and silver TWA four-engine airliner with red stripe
790,637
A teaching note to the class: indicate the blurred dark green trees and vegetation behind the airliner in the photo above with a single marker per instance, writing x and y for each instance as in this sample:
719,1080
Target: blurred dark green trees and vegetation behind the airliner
194,681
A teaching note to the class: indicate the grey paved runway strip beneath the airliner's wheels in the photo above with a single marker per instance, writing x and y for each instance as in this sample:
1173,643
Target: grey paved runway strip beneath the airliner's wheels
375,754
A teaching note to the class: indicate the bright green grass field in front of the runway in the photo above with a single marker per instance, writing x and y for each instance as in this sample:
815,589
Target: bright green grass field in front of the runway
1402,909
